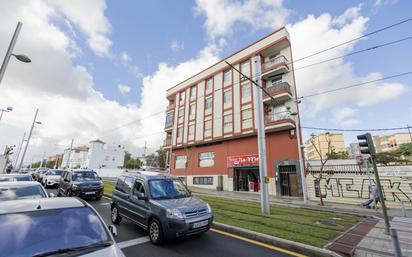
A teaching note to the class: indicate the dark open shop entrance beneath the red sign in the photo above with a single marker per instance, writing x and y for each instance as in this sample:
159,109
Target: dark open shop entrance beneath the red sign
246,179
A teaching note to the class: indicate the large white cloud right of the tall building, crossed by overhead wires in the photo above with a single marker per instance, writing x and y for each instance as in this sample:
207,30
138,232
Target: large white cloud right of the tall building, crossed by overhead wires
315,33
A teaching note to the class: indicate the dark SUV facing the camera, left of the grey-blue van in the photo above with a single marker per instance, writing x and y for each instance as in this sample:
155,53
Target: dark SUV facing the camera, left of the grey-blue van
81,183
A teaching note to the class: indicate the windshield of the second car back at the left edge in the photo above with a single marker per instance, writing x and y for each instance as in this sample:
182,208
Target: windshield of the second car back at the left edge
21,192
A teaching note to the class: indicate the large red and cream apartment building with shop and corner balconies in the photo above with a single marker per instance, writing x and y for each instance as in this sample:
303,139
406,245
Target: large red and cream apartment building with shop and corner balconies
211,121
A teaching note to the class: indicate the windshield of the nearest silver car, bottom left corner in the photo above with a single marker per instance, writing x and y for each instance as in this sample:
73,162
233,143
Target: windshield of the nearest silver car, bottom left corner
35,232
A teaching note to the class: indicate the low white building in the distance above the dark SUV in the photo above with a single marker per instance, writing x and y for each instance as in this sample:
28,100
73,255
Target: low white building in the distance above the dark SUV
97,155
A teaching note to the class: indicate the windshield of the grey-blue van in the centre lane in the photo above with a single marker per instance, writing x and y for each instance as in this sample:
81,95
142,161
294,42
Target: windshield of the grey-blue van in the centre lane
167,189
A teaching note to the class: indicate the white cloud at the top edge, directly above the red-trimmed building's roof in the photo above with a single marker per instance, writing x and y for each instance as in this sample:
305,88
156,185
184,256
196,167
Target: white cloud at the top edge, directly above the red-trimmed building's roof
222,16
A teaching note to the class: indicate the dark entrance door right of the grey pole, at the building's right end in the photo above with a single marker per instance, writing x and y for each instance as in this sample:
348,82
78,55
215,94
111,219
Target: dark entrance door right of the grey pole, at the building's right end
288,180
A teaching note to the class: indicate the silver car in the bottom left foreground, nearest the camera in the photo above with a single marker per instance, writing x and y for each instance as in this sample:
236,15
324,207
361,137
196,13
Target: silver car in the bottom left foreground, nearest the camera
54,227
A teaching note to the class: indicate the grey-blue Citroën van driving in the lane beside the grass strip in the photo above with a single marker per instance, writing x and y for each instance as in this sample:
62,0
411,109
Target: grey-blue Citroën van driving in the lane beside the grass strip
160,204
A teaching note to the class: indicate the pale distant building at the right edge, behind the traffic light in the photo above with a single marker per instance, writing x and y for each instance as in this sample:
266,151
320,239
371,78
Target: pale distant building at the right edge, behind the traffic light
391,142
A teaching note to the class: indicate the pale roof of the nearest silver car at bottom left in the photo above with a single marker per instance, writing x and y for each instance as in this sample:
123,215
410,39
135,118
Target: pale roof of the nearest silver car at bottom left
28,205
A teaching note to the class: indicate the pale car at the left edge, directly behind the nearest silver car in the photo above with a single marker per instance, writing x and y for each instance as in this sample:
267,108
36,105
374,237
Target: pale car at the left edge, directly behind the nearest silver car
22,190
